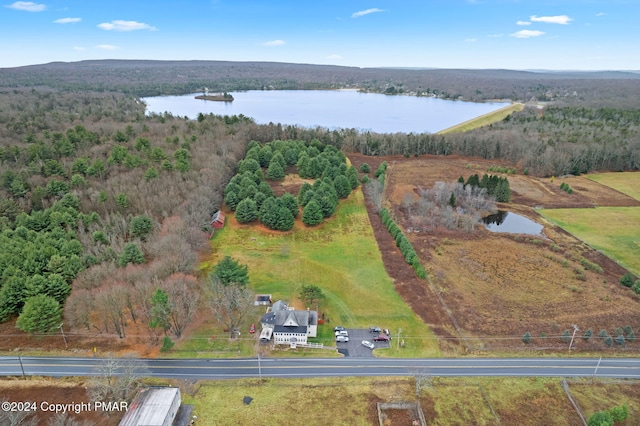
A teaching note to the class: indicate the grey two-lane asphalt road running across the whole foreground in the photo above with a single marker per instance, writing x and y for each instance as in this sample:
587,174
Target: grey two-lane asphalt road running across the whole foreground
334,367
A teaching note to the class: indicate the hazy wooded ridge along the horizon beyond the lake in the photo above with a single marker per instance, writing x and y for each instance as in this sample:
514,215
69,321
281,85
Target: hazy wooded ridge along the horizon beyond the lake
153,78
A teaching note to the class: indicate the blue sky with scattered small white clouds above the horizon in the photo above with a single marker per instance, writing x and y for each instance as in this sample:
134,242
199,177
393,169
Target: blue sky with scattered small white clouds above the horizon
511,34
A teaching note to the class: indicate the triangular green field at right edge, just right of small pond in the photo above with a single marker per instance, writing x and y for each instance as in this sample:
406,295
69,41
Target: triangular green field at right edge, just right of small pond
613,230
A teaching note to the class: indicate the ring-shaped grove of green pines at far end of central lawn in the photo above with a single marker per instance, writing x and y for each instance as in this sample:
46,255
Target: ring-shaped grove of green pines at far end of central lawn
249,194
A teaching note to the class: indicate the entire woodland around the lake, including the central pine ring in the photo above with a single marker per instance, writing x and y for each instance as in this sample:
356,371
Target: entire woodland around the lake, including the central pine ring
102,205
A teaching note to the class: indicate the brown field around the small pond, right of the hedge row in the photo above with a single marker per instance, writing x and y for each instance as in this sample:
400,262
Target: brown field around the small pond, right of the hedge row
495,287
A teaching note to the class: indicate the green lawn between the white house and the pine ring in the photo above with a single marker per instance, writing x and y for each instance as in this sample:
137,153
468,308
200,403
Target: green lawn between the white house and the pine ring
340,256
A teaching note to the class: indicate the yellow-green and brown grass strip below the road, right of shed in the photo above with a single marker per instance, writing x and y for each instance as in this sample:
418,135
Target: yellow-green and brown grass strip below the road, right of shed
449,401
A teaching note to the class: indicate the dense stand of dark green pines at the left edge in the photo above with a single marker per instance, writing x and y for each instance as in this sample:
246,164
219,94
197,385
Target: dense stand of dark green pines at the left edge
40,257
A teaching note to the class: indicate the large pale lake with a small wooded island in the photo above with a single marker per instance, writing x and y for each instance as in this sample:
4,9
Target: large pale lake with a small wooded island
331,109
